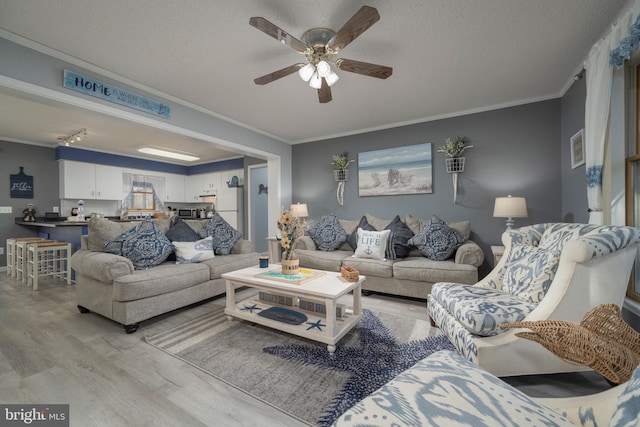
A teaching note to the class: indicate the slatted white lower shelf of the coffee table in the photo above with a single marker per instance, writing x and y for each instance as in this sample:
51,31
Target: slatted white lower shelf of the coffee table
316,327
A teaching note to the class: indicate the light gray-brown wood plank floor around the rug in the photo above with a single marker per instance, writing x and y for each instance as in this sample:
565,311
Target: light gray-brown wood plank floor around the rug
50,353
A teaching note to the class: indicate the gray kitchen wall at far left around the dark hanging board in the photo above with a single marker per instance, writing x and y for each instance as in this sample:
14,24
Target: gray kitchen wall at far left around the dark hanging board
38,162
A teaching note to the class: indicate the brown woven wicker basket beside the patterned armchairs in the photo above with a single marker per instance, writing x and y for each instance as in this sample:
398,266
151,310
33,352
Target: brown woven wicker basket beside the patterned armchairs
602,341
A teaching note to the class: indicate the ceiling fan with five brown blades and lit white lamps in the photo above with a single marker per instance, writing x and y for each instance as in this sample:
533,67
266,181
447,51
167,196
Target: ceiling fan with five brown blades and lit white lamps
319,46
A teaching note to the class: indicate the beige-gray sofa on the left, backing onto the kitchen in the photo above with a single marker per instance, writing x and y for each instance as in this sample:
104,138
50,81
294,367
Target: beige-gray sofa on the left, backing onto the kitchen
109,285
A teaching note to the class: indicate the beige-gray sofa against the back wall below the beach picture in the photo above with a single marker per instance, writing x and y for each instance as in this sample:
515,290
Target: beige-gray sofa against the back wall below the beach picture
412,276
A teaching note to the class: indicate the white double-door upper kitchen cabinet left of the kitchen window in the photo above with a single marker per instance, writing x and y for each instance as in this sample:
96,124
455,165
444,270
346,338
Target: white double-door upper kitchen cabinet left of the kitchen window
79,180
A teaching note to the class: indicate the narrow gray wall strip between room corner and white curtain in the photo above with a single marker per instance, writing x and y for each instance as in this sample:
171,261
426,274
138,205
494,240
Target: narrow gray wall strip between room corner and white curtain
574,181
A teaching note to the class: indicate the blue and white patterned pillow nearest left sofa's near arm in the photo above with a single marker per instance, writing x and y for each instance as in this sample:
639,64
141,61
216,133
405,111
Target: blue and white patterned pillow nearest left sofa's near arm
144,245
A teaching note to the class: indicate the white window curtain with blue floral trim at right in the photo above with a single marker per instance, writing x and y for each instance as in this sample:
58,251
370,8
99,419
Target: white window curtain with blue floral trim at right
613,49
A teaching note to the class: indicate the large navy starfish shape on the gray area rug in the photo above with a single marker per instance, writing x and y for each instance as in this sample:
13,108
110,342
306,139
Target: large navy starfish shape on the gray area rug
377,359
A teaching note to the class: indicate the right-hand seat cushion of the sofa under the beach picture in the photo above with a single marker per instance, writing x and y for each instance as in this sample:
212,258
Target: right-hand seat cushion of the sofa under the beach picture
421,269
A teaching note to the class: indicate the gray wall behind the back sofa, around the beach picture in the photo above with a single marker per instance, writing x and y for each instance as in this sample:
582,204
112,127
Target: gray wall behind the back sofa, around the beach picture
516,151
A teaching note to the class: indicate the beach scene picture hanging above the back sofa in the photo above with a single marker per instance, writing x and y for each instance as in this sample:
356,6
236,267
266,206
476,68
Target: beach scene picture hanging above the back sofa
394,171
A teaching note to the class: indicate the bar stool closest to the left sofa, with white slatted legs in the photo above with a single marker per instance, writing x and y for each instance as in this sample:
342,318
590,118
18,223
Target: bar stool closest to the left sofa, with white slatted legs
48,259
